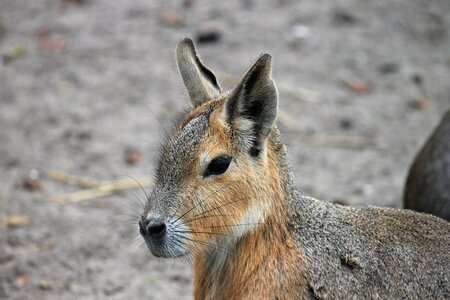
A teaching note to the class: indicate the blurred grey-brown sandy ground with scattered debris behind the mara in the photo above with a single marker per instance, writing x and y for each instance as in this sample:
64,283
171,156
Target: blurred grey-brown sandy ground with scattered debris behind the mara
88,86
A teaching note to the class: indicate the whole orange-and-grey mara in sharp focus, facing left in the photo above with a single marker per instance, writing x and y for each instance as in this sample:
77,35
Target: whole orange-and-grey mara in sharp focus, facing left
224,196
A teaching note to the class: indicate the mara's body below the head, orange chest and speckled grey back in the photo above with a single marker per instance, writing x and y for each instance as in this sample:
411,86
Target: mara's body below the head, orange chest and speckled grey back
334,252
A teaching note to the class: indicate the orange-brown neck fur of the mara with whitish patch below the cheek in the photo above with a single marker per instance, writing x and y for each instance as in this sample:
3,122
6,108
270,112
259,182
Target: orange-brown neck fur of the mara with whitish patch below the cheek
260,258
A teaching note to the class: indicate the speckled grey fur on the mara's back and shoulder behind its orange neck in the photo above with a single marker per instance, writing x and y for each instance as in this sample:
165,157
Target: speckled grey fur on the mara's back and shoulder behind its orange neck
368,253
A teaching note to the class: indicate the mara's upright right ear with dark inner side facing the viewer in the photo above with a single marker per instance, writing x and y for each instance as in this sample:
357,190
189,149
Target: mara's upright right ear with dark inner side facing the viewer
252,106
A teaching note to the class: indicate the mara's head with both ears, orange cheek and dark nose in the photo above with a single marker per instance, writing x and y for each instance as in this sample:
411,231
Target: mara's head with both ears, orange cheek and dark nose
218,176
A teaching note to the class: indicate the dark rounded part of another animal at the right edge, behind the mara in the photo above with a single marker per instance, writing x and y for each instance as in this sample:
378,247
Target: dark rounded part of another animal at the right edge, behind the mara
428,185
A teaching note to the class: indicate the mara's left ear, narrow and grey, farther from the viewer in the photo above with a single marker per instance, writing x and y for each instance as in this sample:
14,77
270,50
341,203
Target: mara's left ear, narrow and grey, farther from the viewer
200,82
